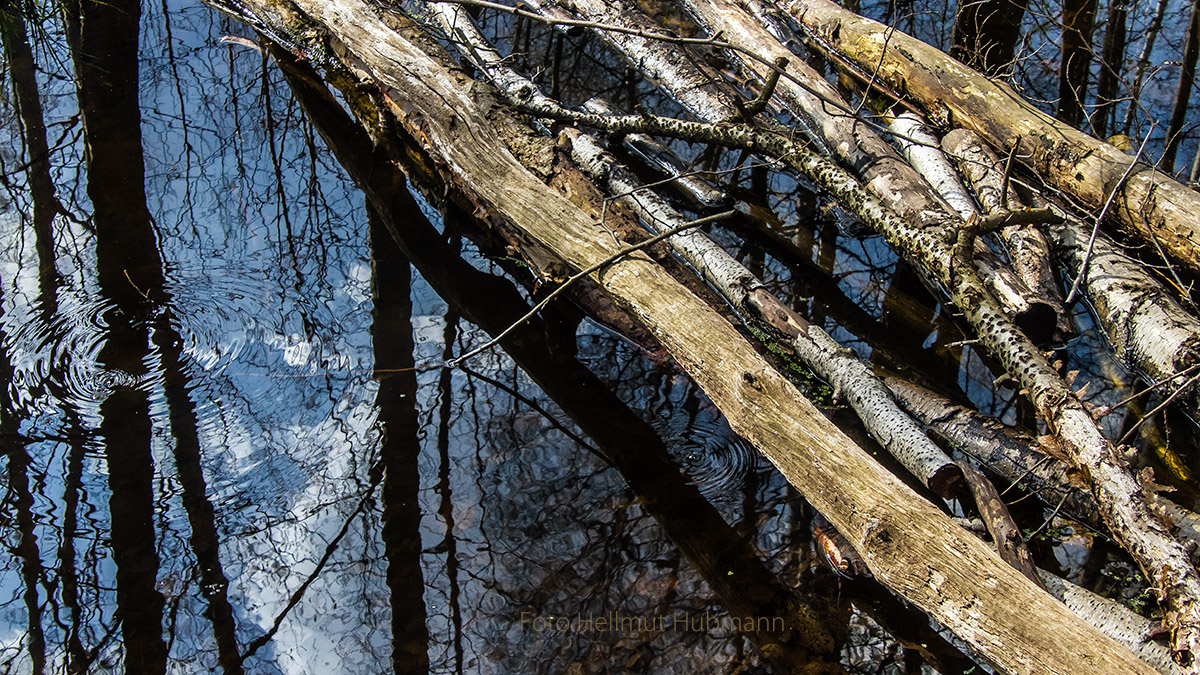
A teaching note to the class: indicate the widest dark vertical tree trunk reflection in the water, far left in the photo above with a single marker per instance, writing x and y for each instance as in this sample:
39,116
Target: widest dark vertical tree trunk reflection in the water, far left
104,40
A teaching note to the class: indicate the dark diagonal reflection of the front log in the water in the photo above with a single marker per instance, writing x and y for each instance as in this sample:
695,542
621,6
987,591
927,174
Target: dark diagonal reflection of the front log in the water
626,441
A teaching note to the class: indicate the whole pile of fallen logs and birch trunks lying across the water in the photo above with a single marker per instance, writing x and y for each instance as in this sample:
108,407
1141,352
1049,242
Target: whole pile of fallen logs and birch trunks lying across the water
934,200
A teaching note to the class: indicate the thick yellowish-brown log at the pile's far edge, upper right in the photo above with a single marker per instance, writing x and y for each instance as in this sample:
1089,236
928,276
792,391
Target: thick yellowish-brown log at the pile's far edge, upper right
1149,205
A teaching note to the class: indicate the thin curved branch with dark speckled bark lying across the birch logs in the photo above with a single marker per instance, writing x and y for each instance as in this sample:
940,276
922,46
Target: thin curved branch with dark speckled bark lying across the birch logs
943,253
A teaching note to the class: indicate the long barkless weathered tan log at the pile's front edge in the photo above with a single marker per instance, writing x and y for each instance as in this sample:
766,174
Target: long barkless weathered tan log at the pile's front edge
908,543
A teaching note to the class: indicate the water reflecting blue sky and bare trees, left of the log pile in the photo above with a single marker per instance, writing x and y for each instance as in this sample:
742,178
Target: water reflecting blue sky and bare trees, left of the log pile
217,455
